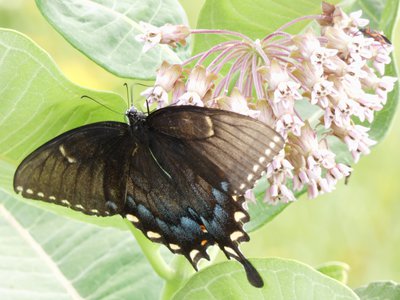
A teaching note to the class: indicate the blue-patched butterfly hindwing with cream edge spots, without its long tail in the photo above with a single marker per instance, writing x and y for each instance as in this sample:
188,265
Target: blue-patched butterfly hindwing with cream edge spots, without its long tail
187,214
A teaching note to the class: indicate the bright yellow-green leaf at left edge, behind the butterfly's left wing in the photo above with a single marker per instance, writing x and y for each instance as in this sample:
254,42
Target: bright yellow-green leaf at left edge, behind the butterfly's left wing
38,103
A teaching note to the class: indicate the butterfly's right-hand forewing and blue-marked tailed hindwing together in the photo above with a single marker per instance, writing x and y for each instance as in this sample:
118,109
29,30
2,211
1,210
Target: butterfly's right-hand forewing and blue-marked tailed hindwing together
198,164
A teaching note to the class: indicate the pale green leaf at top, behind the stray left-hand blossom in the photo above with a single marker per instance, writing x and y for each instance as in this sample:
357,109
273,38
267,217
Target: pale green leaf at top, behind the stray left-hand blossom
105,32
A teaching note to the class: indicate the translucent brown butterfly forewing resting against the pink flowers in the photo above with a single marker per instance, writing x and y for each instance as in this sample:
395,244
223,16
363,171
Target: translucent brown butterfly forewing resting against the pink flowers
226,144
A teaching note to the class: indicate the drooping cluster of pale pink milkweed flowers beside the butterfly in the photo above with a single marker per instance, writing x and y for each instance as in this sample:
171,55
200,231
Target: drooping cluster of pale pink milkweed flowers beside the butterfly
338,73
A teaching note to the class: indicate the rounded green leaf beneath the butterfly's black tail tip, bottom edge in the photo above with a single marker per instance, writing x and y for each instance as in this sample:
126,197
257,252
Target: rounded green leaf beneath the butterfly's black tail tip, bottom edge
283,279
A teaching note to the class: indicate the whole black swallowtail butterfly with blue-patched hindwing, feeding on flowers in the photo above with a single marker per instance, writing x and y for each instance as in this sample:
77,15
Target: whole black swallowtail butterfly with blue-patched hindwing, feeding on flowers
179,175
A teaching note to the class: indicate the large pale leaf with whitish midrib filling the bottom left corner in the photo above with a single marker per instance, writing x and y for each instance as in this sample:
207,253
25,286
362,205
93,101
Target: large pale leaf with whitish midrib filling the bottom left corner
45,256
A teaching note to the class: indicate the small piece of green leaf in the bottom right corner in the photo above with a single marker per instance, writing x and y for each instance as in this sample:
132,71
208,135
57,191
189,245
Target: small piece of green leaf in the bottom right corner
384,290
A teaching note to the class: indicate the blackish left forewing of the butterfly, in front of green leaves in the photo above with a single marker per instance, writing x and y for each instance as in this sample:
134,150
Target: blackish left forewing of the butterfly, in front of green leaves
85,169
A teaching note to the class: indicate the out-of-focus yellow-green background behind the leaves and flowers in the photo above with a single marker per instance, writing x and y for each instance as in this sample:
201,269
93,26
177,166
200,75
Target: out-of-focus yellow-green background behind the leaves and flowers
358,224
